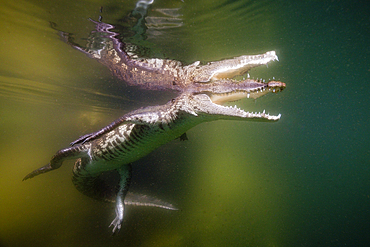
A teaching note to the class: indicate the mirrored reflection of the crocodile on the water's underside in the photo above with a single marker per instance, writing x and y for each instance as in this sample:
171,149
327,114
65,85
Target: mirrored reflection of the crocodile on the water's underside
105,46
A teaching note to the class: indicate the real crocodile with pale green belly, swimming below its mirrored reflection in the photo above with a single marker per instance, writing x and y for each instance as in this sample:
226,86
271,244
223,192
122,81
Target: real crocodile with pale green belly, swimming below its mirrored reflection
138,133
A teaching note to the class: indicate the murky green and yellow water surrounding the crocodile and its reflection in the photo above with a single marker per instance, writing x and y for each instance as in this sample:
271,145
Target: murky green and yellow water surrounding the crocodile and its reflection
302,181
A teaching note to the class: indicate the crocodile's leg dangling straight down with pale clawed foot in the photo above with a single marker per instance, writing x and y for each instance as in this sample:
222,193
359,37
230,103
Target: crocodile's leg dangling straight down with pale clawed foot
124,184
